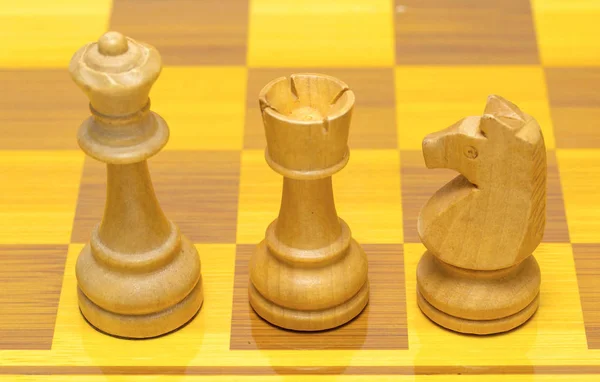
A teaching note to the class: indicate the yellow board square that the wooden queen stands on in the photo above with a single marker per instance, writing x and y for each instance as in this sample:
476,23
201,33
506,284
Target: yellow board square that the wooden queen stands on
207,332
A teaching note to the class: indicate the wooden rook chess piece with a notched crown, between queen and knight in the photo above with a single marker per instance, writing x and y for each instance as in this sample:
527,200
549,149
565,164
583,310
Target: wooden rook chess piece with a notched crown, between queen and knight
308,273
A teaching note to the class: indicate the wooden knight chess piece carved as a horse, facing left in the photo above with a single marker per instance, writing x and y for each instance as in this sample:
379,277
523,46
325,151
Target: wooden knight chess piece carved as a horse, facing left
478,274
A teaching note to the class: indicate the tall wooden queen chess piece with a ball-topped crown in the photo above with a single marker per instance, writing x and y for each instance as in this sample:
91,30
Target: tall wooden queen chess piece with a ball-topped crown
139,276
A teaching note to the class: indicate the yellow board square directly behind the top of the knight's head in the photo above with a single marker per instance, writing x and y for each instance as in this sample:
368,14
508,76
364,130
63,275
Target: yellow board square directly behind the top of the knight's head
431,98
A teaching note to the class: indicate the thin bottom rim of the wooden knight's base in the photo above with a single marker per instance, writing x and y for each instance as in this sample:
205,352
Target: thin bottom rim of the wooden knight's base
480,327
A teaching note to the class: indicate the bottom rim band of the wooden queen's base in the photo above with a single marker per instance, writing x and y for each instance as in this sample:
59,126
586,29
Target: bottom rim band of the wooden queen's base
146,325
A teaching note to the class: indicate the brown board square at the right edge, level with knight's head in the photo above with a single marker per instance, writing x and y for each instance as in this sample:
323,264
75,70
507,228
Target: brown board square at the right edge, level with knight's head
575,104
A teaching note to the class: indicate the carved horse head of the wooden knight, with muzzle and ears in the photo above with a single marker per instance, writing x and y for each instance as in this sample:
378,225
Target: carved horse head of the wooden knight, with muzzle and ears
474,146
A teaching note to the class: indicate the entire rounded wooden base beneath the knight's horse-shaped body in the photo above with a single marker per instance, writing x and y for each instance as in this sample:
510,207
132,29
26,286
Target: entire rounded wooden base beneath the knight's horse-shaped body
474,301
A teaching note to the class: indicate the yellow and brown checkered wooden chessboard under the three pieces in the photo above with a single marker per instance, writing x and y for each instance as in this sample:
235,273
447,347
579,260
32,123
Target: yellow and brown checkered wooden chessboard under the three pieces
416,66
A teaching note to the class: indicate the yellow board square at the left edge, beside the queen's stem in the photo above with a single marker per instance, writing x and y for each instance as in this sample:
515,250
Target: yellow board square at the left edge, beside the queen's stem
39,195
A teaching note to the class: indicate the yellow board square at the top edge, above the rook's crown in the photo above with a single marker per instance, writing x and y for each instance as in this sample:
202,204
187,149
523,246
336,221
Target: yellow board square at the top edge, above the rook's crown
340,33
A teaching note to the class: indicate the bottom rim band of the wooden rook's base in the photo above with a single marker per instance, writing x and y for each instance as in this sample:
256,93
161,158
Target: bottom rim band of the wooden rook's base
309,320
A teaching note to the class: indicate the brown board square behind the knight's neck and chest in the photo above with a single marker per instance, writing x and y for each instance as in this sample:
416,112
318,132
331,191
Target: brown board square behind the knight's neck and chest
419,184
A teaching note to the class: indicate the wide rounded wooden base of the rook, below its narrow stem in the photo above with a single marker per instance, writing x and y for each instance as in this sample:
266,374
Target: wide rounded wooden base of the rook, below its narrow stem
309,290
